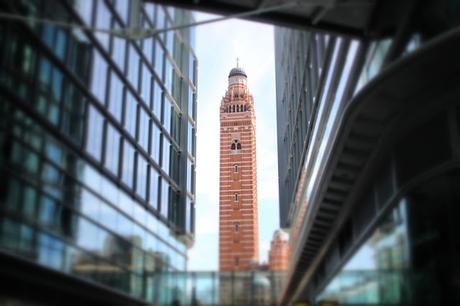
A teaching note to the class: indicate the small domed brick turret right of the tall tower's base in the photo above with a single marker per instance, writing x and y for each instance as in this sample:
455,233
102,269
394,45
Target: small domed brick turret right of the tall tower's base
279,252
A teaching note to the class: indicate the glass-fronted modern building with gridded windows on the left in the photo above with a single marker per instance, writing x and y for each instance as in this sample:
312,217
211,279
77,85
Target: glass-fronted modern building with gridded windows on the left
97,153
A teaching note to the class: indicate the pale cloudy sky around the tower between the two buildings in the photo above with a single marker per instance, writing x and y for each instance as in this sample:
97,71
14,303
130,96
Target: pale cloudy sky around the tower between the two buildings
217,47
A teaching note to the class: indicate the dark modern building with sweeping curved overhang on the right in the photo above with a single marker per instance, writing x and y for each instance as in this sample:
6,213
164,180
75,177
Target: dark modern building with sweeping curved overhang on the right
368,158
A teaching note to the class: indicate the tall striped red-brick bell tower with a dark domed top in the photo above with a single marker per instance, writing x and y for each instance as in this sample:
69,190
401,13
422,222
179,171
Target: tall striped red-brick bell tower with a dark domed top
238,224
